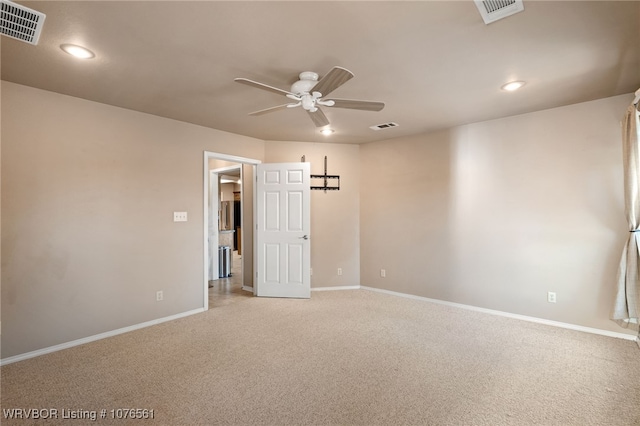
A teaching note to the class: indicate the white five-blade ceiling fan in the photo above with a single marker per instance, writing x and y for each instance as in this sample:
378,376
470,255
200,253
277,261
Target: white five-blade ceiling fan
309,93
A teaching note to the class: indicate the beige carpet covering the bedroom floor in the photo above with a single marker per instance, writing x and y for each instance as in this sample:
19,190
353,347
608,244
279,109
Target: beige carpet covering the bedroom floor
344,357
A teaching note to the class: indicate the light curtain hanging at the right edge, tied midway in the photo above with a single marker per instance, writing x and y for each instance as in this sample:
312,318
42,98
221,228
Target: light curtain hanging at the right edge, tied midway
626,308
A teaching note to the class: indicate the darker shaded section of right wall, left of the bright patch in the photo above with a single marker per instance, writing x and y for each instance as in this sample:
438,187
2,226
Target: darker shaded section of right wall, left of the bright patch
406,214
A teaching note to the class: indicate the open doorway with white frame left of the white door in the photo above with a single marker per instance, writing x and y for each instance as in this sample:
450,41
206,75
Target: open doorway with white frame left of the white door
229,210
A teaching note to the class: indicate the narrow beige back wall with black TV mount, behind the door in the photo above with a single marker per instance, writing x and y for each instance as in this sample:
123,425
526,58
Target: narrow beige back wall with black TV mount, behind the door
335,233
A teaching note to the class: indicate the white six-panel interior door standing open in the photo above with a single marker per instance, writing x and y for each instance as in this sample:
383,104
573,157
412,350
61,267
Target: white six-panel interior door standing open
283,225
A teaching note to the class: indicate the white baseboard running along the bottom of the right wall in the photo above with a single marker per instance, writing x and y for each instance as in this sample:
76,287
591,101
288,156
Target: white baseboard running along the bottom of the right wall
510,315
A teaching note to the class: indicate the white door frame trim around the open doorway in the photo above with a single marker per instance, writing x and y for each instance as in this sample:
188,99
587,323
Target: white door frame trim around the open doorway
205,267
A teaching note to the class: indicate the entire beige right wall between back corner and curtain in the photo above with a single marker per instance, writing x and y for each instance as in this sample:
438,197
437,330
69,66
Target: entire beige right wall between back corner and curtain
496,214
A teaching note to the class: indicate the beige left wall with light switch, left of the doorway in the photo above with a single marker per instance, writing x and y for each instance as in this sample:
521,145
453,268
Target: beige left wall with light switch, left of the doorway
88,195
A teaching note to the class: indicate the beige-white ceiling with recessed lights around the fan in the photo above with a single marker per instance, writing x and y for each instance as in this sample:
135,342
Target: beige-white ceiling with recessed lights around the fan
434,64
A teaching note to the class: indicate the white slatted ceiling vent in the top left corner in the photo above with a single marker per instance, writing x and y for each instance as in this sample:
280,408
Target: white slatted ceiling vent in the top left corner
20,22
